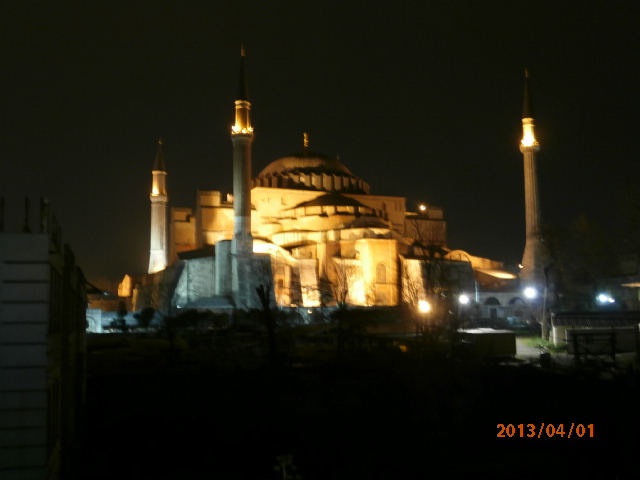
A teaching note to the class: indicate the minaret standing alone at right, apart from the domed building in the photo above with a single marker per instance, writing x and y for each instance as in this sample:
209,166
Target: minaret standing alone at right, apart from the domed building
532,273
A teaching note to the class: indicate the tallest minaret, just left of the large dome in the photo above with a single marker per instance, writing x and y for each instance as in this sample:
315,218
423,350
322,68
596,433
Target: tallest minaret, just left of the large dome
242,138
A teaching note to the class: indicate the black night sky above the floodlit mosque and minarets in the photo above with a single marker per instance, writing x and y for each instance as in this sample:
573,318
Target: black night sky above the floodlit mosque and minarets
421,99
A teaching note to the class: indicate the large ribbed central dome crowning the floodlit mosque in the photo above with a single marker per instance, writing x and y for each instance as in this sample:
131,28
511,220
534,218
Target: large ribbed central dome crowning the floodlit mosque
310,171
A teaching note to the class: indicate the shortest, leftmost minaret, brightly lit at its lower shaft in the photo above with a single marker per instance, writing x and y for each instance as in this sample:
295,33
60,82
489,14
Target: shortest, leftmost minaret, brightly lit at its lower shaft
158,252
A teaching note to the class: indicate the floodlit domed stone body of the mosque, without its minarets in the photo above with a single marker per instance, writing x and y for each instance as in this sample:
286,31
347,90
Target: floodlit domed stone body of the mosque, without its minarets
317,221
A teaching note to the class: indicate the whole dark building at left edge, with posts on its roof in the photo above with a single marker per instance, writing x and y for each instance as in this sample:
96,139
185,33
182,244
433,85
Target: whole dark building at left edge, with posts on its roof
42,352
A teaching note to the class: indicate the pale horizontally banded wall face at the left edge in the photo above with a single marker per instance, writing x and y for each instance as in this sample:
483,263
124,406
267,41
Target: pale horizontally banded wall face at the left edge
24,323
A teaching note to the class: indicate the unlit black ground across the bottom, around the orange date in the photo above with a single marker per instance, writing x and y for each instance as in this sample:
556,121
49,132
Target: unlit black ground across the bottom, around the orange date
370,417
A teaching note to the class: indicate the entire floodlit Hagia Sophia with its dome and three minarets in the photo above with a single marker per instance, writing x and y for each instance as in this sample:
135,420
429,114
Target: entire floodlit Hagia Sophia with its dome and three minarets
311,231
